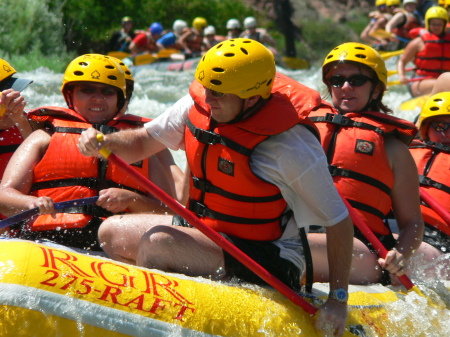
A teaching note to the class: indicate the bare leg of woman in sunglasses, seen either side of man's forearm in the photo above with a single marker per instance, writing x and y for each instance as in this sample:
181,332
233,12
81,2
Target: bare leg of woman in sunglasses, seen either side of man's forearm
365,268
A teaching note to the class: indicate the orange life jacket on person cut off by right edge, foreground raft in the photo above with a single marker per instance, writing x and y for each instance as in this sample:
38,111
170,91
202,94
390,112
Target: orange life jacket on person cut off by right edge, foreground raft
433,164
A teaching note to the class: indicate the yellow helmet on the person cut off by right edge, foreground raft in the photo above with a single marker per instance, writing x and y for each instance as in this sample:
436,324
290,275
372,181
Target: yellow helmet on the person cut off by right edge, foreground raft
436,105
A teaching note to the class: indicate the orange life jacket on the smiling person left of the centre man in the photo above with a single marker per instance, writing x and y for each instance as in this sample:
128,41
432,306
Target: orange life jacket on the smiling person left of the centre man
65,174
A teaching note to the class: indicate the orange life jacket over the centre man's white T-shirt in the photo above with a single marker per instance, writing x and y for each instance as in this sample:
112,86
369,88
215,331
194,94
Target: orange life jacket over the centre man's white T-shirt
224,191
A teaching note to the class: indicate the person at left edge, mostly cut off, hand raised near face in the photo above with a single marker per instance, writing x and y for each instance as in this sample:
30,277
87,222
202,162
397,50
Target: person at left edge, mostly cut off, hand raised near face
14,125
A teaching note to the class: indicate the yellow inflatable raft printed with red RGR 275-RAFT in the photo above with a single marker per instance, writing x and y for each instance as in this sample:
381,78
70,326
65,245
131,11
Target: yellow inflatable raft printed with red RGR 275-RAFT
49,290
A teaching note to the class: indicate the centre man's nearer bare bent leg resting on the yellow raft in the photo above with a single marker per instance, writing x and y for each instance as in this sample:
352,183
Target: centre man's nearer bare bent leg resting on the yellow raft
182,250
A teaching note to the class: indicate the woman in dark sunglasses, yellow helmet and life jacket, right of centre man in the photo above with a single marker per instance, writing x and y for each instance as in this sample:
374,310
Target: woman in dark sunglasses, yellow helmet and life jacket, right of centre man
371,165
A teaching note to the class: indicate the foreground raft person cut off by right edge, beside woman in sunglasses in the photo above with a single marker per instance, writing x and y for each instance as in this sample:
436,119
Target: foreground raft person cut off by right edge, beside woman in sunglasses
432,155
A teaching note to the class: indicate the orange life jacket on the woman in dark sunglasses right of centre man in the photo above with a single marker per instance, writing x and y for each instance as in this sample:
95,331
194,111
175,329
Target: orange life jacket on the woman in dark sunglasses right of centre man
354,145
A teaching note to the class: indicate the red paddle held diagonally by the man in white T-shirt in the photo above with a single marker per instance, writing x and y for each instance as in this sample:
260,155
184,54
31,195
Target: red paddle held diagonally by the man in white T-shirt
218,239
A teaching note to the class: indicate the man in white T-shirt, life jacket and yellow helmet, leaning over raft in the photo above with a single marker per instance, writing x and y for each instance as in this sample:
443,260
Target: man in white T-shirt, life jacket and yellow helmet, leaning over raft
267,177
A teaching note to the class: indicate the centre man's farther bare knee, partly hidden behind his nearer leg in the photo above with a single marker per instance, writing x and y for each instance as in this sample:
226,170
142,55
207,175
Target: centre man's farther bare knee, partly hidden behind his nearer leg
119,235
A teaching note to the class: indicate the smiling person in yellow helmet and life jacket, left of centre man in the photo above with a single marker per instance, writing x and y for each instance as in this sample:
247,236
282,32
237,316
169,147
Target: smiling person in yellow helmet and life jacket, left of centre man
48,168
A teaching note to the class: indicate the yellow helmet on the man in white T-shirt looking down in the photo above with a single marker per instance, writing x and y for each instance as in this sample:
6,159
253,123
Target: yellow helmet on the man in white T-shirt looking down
242,67
